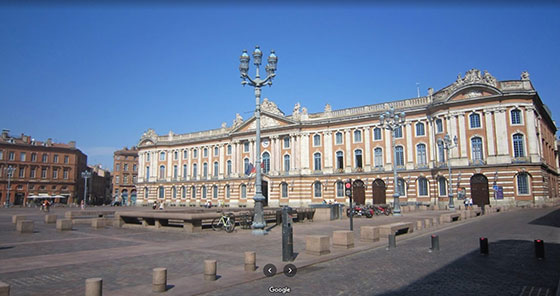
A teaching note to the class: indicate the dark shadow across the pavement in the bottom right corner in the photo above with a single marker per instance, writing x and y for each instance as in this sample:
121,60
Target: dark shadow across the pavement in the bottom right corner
510,266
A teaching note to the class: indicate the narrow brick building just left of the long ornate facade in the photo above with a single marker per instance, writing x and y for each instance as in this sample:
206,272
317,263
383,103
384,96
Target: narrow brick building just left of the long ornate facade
125,174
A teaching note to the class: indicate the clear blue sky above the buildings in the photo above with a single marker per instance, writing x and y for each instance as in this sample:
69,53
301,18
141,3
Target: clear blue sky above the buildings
103,74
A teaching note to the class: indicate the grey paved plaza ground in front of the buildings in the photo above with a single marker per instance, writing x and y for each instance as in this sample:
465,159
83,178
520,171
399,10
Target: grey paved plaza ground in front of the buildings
49,262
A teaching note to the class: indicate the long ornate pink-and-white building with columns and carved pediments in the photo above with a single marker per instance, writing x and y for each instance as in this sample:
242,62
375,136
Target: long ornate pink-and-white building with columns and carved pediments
505,152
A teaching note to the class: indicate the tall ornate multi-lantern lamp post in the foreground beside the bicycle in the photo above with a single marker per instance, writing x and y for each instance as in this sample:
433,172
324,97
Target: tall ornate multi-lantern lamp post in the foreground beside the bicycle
258,221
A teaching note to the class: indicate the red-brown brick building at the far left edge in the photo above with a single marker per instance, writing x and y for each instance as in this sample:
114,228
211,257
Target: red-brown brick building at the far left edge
40,170
